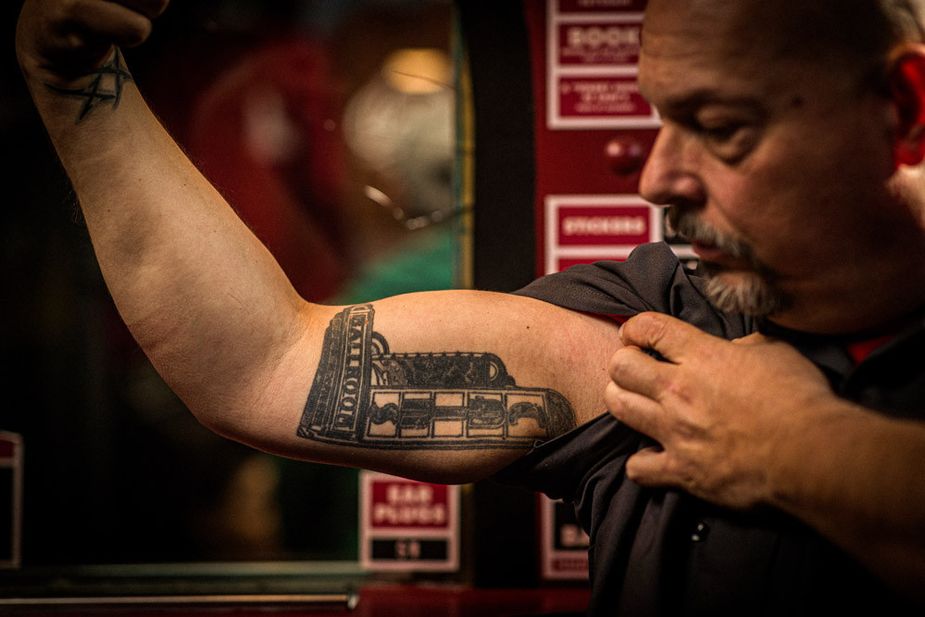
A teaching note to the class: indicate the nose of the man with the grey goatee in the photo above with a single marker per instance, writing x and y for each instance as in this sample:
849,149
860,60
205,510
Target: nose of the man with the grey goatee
671,173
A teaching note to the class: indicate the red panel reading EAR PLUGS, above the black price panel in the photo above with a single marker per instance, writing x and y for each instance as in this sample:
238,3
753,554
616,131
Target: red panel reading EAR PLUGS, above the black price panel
409,505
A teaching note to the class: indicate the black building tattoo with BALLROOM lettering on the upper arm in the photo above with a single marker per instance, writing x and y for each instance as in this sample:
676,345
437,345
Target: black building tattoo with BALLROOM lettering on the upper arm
365,395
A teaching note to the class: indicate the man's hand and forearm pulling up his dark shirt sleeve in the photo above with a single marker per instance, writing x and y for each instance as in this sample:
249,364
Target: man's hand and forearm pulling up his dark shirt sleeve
756,423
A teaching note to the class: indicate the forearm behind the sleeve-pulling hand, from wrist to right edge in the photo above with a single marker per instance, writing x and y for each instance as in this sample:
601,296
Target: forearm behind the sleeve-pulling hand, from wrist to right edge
856,477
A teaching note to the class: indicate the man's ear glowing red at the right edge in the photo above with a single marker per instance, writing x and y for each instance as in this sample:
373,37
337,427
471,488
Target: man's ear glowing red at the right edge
907,87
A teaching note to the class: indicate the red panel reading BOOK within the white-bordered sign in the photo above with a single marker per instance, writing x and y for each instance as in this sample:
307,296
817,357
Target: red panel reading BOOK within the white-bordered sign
601,43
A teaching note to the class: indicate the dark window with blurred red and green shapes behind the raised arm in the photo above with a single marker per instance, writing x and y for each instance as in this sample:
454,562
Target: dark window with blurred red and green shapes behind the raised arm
329,127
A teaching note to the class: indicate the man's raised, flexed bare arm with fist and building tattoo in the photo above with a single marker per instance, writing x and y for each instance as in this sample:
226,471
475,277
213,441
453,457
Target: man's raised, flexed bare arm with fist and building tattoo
448,386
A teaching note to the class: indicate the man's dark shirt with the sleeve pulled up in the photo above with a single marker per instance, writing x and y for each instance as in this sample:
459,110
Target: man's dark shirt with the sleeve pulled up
664,552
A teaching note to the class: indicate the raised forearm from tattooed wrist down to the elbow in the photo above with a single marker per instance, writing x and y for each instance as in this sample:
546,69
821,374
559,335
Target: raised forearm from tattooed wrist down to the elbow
199,292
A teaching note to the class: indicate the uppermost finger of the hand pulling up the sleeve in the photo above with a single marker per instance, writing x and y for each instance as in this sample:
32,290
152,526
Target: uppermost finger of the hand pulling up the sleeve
670,337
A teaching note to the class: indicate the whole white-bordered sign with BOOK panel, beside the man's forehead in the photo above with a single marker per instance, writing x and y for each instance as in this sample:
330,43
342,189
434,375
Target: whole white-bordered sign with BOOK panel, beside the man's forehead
592,57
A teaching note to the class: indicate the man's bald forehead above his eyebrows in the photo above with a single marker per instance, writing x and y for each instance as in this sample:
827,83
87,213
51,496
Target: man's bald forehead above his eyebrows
761,47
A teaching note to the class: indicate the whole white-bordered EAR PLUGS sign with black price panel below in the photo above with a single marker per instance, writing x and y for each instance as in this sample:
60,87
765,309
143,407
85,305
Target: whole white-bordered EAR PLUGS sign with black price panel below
408,526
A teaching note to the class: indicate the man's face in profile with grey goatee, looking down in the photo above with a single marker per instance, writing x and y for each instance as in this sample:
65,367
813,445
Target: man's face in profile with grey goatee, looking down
776,167
